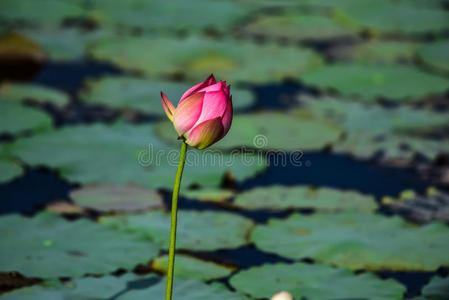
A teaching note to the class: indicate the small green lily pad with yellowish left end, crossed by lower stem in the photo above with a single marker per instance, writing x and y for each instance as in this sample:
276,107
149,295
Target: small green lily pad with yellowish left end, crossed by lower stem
188,267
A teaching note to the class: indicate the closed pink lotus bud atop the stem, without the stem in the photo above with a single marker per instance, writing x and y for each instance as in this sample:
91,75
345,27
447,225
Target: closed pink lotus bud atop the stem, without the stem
204,113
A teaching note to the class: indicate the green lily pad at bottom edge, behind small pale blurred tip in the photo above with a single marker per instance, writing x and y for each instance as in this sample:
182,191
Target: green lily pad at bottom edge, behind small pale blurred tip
314,282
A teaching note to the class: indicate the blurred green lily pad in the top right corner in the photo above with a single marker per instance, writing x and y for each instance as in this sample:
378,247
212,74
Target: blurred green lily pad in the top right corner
393,17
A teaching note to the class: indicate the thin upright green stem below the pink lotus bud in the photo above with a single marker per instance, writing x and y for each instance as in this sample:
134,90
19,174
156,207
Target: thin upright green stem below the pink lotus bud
174,217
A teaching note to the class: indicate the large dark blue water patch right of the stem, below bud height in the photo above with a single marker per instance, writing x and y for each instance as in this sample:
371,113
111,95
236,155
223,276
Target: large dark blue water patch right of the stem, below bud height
342,172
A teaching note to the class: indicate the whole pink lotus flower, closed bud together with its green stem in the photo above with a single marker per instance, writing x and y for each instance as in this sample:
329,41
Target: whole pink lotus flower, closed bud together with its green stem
203,117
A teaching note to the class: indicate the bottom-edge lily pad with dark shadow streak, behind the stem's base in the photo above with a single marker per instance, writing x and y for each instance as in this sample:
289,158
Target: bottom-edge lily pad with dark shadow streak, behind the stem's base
126,287
